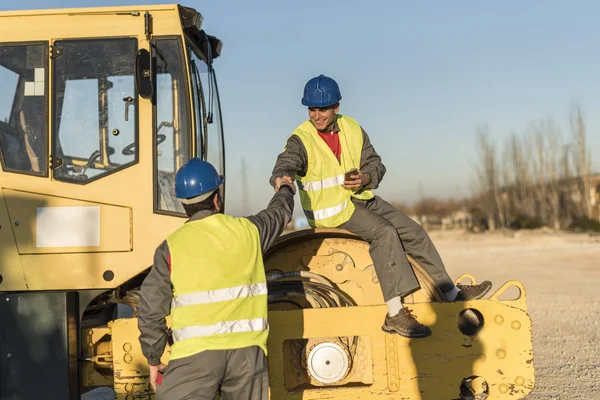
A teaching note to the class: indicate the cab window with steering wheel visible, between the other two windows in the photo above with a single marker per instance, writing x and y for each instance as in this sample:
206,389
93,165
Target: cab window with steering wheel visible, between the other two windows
95,108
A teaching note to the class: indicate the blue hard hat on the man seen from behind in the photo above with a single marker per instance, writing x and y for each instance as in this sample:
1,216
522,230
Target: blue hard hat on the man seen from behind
195,178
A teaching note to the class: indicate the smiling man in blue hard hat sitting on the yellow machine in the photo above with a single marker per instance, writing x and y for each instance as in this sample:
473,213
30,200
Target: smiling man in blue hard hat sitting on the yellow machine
336,167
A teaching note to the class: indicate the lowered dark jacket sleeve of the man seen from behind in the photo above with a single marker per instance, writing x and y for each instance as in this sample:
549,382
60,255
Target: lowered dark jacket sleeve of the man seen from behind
155,304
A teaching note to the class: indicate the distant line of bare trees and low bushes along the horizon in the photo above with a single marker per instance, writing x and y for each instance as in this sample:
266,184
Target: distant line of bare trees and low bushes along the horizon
539,178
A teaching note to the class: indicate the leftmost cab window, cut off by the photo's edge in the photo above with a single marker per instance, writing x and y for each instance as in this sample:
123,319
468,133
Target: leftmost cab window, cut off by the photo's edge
23,105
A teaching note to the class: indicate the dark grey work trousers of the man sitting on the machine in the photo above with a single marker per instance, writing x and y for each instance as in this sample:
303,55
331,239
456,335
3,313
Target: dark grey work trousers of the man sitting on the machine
390,232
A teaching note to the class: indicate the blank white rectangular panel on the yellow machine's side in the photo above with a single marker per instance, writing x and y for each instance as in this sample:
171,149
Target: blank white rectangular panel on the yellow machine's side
68,226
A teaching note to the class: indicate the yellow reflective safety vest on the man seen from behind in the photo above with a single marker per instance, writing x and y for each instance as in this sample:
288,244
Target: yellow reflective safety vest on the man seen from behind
219,286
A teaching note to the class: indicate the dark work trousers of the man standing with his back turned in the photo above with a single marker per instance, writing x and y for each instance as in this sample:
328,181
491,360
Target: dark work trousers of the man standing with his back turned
240,374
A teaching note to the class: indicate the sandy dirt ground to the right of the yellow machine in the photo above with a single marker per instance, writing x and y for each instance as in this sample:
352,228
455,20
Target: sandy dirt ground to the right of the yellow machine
561,274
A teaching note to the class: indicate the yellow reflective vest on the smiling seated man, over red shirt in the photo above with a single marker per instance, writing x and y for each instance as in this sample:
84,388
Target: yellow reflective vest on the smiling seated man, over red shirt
324,201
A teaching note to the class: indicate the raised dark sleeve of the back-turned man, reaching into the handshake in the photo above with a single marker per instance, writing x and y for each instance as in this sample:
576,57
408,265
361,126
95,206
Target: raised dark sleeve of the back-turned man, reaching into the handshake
272,221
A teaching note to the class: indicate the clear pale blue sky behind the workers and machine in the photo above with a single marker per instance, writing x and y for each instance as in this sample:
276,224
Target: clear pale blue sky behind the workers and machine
418,76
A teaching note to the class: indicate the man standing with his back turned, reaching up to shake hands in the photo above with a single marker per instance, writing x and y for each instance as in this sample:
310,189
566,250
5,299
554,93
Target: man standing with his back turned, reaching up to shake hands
209,275
